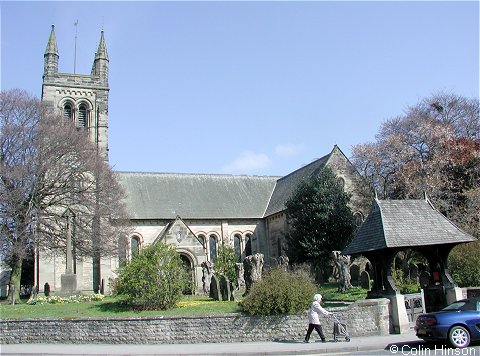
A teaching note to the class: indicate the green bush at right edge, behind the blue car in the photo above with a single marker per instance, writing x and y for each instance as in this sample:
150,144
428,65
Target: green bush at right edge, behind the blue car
464,264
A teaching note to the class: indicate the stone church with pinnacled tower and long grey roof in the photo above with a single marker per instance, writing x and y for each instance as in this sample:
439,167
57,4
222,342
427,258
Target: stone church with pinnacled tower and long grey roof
196,213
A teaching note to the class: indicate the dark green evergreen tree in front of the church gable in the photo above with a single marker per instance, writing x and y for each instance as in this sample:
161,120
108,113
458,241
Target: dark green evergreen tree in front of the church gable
319,219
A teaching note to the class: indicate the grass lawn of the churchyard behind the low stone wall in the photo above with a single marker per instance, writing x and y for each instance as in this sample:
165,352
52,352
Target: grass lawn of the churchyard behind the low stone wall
189,305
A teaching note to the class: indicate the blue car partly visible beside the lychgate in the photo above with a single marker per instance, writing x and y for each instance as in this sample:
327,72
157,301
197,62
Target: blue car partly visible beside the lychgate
458,323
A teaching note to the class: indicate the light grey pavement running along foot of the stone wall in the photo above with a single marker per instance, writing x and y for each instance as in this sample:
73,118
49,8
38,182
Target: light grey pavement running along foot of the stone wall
280,347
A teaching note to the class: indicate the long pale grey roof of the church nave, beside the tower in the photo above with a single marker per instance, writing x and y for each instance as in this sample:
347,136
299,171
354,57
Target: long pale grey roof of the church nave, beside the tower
195,196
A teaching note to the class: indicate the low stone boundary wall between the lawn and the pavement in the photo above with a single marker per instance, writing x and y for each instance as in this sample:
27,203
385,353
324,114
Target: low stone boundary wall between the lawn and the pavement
366,317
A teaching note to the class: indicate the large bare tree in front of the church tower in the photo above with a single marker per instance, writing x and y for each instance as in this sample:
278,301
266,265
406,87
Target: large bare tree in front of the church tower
50,171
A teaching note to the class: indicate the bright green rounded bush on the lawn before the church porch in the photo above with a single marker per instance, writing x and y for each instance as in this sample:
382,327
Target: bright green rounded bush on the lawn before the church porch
154,279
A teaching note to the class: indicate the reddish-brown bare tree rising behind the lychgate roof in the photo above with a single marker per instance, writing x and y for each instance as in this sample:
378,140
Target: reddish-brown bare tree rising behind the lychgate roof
433,148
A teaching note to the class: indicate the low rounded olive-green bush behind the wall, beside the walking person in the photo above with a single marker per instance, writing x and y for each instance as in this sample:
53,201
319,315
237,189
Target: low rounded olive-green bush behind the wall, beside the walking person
279,292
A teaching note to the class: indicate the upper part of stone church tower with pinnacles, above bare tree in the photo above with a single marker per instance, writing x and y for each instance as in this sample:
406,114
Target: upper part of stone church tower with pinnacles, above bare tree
79,97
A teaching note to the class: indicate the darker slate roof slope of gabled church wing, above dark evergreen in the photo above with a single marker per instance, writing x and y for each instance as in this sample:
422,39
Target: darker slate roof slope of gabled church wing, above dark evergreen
287,185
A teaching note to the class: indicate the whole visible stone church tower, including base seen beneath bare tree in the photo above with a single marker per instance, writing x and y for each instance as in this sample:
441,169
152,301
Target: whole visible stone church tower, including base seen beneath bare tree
82,99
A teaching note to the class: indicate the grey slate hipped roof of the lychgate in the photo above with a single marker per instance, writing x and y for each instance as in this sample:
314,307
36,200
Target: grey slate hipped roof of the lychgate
402,223
